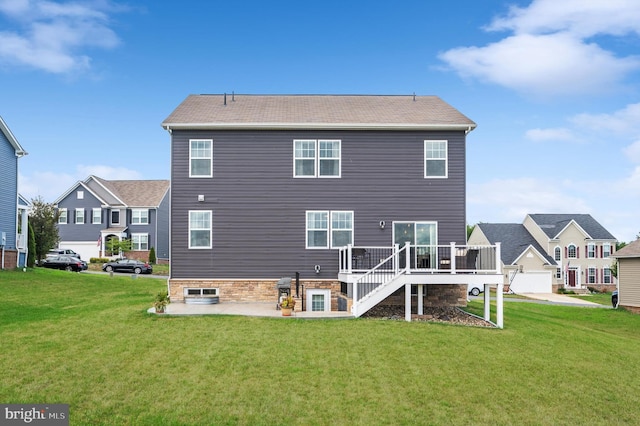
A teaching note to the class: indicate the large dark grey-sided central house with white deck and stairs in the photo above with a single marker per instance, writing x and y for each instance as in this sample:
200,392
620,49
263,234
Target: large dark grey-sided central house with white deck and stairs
266,187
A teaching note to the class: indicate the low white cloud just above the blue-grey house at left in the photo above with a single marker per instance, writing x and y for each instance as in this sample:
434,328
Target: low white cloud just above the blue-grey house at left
50,185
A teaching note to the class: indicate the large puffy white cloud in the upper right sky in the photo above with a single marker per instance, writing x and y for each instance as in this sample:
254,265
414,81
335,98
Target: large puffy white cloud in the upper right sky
549,53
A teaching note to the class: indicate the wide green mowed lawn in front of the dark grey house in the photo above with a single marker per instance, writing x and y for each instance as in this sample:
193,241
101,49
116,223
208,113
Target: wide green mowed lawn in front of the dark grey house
87,340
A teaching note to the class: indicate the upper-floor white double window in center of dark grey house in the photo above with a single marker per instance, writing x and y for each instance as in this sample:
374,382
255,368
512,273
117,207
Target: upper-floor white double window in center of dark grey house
316,158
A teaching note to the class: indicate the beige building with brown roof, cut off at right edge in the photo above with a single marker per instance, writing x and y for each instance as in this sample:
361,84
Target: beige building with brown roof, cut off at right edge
628,259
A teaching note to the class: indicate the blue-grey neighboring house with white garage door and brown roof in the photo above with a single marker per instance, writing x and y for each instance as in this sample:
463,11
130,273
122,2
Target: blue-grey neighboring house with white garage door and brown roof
95,210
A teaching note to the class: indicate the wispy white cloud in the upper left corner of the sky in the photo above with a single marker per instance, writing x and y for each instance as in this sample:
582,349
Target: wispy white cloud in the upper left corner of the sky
50,36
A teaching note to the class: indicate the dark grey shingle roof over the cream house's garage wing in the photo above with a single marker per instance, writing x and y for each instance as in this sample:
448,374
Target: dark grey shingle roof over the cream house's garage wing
514,240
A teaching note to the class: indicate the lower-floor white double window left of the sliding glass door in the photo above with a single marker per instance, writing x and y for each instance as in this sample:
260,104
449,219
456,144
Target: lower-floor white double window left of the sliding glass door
329,229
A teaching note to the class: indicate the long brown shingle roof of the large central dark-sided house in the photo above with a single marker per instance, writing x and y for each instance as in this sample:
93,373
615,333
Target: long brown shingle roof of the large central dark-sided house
316,111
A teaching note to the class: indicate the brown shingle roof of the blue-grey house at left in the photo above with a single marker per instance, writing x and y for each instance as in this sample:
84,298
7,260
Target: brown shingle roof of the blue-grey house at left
137,193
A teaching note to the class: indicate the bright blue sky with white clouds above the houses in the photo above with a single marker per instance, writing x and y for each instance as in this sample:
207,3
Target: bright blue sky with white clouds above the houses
554,86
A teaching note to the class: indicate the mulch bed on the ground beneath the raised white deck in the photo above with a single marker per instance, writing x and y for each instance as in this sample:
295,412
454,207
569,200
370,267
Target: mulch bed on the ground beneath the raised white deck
441,314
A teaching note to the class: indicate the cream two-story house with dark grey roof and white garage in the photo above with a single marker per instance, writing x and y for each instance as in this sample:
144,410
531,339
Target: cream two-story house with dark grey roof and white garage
552,251
